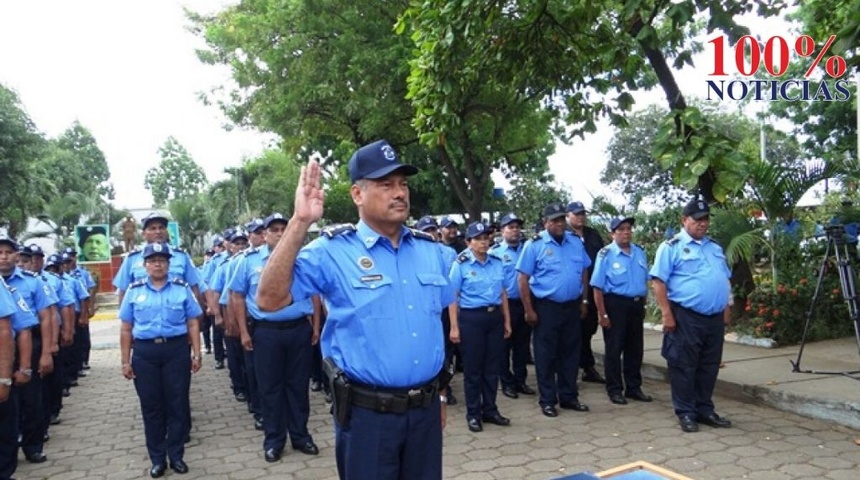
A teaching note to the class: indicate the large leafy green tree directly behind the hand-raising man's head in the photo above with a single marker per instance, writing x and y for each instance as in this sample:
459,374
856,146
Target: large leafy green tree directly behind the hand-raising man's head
336,78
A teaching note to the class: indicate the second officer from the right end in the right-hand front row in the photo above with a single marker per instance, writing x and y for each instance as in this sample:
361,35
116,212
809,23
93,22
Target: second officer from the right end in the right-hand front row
620,286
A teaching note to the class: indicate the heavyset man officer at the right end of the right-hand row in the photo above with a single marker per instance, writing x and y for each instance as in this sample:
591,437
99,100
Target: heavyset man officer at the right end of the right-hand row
691,284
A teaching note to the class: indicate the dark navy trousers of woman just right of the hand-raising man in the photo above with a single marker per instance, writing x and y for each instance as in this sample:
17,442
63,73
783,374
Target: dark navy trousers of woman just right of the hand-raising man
482,344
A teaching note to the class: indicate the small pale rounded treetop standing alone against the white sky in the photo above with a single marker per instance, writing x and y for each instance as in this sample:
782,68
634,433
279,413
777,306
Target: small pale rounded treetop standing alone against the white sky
177,175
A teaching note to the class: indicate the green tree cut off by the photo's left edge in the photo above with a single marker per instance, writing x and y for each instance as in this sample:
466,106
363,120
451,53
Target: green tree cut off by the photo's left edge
23,181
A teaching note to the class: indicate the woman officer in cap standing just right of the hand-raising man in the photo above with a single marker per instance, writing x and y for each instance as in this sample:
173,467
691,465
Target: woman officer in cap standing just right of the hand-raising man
481,325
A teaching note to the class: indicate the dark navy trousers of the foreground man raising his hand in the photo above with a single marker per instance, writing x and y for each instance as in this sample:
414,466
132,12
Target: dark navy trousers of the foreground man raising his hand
391,446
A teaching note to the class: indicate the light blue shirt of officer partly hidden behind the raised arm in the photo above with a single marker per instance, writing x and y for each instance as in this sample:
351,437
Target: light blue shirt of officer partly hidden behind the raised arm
245,281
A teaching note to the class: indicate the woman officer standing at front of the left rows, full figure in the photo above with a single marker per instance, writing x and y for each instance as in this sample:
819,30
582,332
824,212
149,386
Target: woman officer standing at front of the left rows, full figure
161,316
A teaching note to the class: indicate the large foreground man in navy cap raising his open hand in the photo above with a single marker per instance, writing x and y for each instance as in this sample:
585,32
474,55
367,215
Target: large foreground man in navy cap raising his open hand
384,286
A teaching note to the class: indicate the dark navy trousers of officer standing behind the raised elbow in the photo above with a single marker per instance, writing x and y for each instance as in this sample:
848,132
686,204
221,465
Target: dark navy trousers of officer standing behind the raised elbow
282,354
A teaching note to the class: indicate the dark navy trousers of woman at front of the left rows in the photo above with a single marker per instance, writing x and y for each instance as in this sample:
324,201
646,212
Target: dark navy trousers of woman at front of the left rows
162,377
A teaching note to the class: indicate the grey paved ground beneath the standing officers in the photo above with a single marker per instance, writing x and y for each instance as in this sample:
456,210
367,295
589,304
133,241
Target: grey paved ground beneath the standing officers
101,434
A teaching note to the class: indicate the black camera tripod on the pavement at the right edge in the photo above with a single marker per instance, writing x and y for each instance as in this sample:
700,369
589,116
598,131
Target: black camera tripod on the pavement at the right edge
836,244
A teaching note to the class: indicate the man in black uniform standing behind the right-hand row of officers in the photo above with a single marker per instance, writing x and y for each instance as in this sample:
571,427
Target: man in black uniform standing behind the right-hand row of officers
576,220
